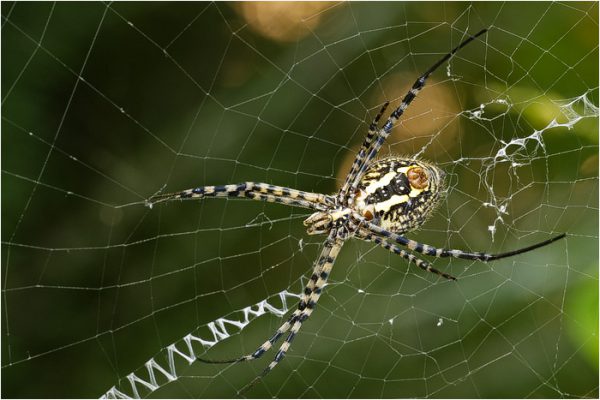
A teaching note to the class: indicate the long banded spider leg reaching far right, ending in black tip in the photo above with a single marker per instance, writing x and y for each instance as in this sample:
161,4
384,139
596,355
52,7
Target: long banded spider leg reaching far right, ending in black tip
441,252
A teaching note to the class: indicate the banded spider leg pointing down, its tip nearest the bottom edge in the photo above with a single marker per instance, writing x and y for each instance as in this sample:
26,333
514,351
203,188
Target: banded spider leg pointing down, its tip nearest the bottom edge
312,293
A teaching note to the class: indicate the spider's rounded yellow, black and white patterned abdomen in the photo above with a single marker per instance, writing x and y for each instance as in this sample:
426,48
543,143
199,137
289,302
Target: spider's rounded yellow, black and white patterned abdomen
399,194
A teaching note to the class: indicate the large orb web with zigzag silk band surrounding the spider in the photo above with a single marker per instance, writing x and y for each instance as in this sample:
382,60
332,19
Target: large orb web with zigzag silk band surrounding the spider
104,105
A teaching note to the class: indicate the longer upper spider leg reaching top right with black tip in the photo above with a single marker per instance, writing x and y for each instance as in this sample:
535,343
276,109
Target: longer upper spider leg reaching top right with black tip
385,131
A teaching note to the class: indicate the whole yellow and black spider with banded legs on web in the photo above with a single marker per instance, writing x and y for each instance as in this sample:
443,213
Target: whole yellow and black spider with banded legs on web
379,202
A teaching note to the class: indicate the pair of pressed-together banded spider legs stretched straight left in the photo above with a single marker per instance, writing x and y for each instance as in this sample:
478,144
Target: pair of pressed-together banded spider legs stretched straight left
254,191
